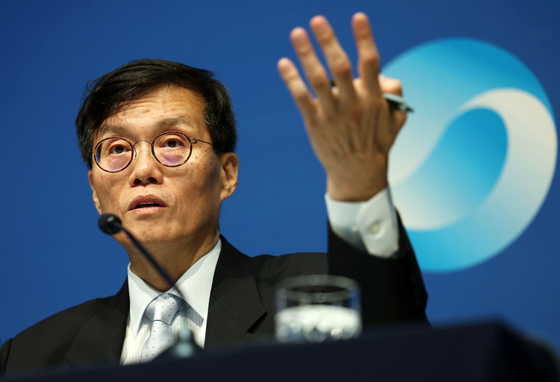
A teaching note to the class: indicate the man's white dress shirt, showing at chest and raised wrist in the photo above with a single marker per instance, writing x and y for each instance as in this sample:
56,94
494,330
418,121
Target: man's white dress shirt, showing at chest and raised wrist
370,226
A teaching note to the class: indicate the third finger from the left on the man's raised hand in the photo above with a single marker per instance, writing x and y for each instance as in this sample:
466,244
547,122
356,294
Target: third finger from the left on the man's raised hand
336,57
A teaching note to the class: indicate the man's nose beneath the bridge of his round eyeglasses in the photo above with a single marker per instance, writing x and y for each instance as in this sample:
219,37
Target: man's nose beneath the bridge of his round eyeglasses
146,169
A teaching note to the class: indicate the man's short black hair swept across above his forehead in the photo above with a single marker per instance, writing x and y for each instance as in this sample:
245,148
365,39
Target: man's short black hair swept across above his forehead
105,95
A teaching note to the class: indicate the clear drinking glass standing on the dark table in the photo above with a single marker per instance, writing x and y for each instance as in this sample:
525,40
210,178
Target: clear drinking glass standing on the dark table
317,308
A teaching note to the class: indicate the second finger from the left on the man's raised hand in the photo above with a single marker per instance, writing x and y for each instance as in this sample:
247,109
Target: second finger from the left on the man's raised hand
314,70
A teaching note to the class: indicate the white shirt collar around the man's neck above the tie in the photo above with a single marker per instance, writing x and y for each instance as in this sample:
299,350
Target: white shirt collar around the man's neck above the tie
195,285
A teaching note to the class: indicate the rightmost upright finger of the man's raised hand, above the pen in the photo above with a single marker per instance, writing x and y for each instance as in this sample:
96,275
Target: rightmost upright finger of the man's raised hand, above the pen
368,55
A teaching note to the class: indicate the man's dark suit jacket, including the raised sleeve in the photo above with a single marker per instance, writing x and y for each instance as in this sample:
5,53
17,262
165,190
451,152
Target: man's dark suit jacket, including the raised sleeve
241,305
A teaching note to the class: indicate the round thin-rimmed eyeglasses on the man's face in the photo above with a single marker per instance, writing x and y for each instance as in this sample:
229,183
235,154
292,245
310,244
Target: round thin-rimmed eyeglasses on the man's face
171,149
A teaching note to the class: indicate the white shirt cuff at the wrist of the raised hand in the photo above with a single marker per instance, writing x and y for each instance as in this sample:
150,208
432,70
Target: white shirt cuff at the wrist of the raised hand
369,226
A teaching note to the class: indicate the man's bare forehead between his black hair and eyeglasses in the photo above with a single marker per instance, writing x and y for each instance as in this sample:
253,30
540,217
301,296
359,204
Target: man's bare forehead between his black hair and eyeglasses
162,109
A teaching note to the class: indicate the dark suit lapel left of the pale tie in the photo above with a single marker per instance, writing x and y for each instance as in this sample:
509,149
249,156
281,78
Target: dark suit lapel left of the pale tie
102,337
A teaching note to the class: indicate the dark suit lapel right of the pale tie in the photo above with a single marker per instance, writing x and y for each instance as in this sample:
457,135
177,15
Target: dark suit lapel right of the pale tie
235,303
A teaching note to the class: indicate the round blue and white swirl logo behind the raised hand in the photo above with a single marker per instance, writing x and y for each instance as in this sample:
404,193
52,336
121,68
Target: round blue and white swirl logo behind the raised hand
473,165
